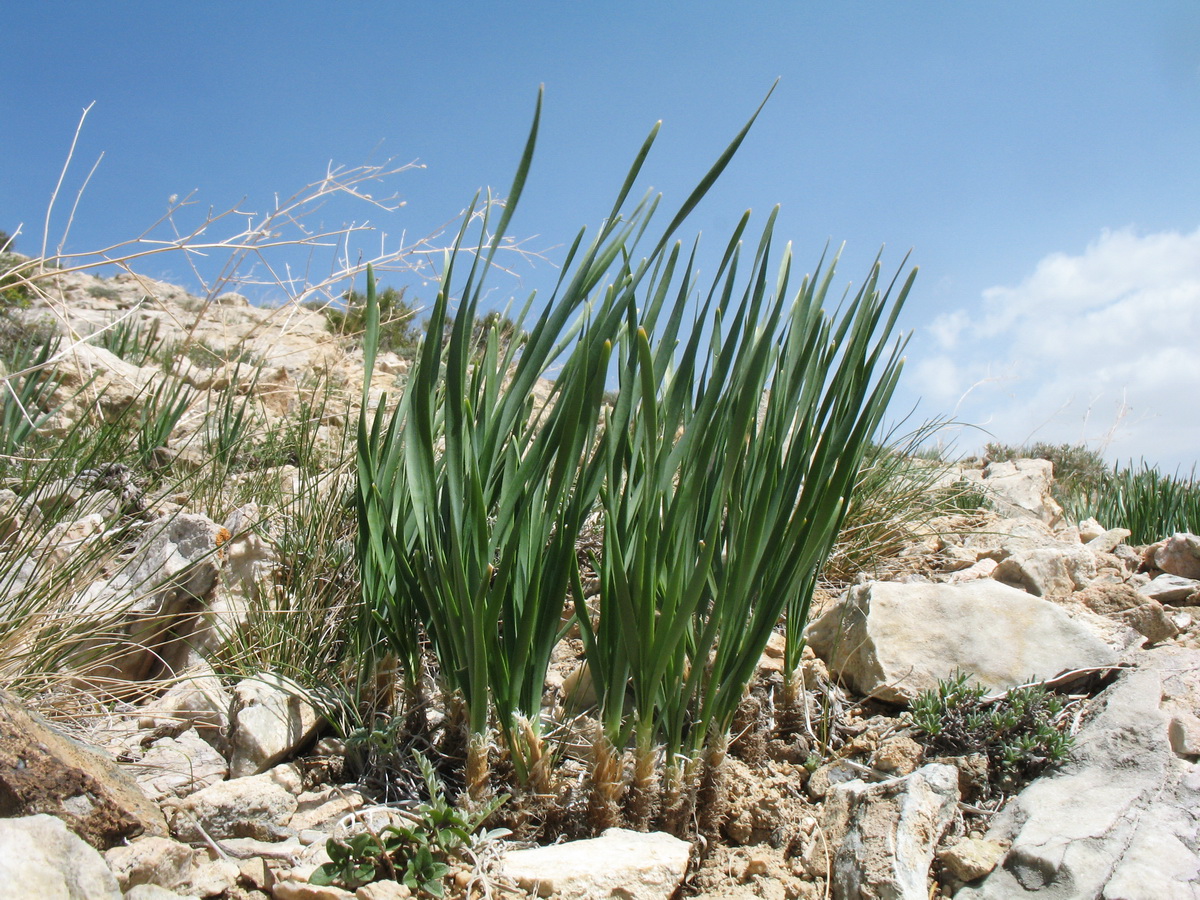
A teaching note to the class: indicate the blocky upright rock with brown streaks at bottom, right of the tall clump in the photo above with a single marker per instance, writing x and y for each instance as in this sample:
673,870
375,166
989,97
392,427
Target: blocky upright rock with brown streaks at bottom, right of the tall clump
885,835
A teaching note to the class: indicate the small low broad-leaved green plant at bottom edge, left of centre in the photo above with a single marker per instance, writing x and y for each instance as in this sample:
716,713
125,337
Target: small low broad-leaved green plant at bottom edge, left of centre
417,855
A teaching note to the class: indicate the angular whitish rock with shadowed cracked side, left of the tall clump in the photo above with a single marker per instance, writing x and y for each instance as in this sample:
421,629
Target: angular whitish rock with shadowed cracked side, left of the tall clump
271,718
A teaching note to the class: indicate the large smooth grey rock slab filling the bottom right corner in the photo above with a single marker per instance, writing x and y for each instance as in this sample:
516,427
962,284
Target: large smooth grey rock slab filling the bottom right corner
1115,821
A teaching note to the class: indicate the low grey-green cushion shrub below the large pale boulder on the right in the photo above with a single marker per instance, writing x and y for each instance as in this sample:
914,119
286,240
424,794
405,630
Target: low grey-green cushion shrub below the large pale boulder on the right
1021,733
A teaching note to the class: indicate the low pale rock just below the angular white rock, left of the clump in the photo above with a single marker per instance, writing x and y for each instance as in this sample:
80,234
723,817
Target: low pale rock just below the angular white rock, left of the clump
241,808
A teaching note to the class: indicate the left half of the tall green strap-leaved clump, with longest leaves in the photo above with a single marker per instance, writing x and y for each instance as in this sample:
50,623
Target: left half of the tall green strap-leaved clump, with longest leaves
472,495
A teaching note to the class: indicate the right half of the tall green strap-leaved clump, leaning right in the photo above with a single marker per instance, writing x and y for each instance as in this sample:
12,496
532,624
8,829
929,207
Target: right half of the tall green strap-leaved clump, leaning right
729,465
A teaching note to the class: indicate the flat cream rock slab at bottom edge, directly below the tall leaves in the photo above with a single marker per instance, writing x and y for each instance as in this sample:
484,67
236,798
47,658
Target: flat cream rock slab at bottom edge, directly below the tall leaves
619,865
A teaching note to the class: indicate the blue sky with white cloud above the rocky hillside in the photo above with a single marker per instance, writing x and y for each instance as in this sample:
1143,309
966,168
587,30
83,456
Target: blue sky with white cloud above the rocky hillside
1039,159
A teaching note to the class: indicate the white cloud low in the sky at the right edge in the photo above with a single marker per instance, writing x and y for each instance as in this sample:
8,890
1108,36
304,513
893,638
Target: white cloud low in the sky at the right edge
1102,347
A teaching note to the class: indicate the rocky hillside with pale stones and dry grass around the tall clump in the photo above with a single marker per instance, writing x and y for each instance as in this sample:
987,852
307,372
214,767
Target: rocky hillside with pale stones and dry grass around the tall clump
1006,706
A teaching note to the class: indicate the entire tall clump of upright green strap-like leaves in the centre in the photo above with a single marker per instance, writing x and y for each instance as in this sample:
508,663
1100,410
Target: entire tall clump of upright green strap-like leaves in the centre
724,469
